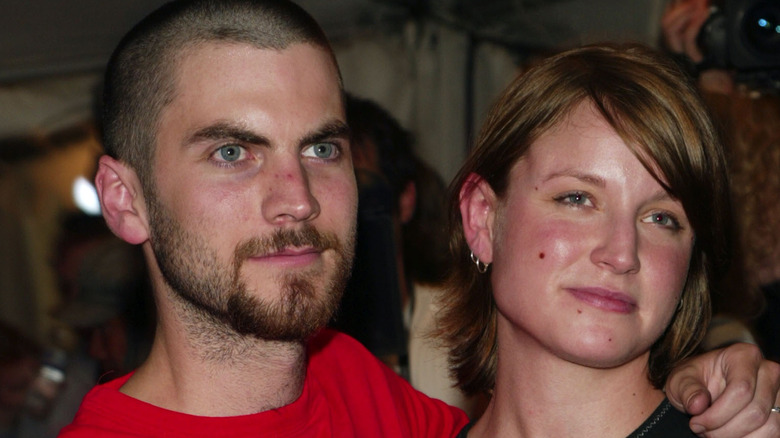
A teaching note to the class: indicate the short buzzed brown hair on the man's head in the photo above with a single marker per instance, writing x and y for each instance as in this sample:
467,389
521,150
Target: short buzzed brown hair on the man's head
140,77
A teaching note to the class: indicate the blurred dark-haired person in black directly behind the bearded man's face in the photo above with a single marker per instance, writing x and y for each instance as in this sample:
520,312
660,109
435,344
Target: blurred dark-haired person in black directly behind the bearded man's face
372,308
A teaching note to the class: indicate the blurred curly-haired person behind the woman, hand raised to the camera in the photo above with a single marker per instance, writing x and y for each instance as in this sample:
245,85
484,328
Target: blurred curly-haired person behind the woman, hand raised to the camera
750,121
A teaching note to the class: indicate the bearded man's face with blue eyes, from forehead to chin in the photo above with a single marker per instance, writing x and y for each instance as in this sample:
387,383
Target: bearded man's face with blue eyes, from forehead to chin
253,216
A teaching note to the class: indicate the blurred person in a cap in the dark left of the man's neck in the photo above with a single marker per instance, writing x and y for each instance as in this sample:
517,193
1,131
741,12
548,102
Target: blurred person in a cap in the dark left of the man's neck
104,327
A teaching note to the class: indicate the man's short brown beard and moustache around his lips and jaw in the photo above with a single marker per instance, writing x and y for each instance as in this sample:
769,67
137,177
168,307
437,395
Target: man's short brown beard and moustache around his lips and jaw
217,292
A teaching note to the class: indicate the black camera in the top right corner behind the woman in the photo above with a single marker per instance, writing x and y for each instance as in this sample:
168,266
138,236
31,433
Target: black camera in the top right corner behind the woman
744,36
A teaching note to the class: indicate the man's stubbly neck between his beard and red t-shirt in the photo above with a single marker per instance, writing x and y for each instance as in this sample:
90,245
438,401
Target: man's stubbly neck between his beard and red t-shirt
201,368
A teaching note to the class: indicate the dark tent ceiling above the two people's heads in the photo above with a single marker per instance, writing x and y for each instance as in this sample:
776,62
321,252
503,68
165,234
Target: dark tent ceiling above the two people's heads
49,37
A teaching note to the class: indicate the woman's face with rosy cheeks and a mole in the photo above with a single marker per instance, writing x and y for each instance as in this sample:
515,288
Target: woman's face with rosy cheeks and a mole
590,254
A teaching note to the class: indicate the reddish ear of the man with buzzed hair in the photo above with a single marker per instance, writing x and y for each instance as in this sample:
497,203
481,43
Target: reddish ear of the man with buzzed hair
122,200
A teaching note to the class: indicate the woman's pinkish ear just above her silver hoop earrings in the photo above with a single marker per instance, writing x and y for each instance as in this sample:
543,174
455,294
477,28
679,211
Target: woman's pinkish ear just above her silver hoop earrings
478,204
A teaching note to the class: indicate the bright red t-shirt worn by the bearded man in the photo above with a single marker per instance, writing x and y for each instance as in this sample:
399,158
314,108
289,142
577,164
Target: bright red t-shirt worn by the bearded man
347,393
